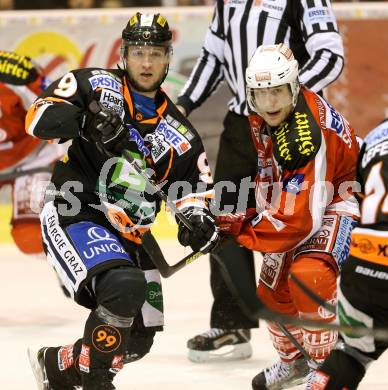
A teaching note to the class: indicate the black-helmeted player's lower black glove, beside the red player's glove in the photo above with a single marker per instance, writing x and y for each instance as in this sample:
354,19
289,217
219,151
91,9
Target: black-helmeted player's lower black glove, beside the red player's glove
204,237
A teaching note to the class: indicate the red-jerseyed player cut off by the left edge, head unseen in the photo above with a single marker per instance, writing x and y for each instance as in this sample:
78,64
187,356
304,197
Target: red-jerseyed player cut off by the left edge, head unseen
20,83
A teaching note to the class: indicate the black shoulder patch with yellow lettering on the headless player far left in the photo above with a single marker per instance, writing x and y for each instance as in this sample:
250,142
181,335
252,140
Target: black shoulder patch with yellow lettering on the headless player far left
17,69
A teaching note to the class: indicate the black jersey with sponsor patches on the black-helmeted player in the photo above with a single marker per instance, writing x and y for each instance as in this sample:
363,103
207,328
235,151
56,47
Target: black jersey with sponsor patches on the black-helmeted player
94,186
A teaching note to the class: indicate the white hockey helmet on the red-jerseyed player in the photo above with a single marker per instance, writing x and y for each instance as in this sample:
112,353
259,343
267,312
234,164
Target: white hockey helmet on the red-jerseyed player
271,66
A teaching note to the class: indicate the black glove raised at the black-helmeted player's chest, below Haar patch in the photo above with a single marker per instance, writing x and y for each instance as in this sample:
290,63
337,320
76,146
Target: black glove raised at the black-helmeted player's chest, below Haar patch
108,130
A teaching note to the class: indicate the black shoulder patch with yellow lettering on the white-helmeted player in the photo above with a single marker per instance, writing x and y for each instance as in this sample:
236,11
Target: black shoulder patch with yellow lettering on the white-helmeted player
297,141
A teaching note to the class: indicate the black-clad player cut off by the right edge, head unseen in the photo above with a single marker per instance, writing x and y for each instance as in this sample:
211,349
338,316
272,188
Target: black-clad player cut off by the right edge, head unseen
363,288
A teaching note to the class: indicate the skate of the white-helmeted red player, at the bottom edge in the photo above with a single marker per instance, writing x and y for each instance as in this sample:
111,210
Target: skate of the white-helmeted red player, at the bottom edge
282,375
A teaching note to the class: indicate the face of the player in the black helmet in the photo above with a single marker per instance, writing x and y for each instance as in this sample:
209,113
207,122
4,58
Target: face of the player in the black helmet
146,66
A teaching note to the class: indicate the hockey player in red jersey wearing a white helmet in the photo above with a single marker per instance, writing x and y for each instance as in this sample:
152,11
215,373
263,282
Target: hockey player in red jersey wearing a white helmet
305,210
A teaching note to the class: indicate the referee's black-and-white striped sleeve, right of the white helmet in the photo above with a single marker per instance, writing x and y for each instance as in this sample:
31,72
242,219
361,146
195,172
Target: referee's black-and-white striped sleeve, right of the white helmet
323,43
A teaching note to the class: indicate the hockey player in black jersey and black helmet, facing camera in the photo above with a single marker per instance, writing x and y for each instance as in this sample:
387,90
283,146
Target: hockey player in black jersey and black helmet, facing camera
98,207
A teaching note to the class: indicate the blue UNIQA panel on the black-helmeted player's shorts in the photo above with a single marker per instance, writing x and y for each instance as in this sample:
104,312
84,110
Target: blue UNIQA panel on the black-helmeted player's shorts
96,244
